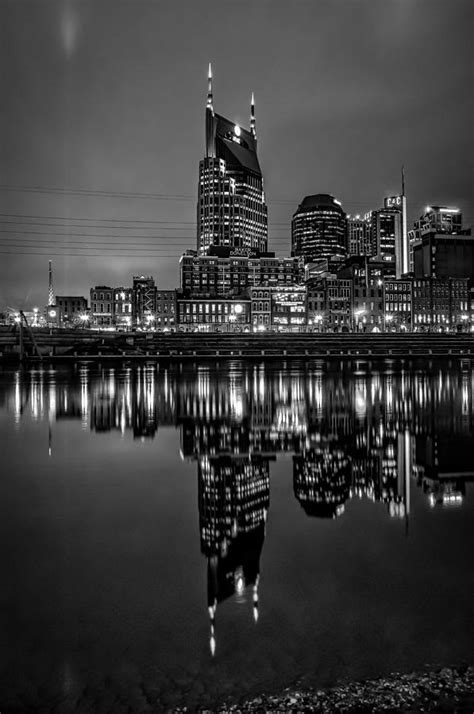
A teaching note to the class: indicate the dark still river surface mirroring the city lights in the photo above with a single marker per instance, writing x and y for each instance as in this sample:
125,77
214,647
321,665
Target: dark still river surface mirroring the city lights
183,535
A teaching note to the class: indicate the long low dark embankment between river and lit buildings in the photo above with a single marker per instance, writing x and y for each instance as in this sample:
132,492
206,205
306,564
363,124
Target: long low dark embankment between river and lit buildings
77,344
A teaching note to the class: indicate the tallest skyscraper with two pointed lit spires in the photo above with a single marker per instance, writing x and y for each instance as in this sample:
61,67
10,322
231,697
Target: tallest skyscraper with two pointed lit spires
231,201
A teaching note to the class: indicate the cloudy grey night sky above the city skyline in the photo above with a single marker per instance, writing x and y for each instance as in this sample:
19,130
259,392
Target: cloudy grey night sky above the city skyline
103,102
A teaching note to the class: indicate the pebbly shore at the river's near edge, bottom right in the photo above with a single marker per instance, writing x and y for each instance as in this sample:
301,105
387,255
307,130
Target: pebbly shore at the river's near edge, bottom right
446,690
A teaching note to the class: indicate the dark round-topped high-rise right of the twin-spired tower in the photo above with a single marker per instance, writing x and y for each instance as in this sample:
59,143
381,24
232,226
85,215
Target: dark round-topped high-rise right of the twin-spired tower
318,229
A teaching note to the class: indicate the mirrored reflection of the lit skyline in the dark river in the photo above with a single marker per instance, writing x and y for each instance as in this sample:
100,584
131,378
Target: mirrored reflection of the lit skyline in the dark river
352,434
